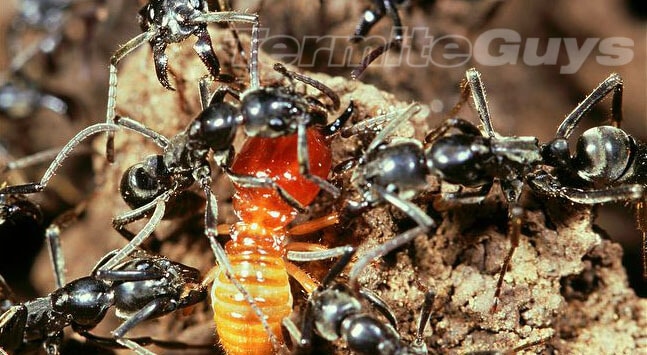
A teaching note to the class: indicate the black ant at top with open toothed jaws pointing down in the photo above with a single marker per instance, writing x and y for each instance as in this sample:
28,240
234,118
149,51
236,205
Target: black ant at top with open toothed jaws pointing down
172,21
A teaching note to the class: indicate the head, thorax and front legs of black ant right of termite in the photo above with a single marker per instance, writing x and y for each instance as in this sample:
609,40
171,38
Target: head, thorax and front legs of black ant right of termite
394,172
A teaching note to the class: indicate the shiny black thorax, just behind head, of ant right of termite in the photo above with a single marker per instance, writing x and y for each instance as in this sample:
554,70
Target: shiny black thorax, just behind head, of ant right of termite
460,159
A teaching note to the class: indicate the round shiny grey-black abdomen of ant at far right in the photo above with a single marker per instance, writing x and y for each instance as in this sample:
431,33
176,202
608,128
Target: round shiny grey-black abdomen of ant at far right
603,154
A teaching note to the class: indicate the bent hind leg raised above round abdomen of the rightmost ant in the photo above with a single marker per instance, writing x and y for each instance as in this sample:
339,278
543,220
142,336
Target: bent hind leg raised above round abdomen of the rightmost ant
612,83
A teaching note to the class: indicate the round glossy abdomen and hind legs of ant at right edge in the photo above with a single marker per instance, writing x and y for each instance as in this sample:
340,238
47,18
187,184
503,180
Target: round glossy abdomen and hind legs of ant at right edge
609,165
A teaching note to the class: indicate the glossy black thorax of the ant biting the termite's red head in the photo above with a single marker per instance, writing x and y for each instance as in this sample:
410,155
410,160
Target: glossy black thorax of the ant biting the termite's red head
216,125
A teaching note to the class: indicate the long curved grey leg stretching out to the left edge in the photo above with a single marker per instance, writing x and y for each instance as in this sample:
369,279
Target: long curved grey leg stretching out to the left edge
60,157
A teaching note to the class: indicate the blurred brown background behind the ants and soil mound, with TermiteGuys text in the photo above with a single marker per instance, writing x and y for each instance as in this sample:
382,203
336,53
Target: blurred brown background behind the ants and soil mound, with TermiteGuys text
539,82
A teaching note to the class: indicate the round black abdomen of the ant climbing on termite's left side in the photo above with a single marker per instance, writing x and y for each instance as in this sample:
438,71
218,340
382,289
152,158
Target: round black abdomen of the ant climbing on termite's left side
144,181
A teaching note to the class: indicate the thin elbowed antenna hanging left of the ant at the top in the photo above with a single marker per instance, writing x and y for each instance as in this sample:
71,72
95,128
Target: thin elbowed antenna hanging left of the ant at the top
112,84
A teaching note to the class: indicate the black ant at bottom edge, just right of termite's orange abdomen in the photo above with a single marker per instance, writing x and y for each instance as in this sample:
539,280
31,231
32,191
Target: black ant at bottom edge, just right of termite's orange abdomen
334,311
